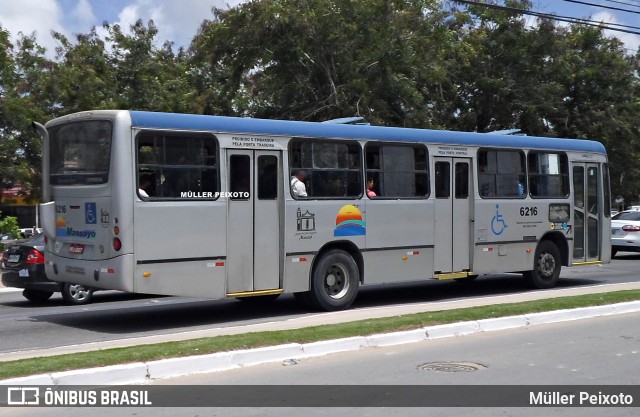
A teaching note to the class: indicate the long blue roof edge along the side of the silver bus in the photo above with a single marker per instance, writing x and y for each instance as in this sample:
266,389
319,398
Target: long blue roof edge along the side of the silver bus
157,120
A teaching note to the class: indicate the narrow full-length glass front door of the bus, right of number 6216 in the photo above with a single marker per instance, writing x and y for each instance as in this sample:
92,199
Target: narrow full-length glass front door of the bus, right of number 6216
586,212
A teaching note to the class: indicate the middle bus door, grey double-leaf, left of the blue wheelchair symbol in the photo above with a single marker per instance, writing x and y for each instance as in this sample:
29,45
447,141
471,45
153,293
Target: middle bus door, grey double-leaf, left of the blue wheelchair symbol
452,216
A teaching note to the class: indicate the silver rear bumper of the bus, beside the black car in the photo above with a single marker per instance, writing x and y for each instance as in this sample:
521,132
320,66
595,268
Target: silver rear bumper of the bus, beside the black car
106,274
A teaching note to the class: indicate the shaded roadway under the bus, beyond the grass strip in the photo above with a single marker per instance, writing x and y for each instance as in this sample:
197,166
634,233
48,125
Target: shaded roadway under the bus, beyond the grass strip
118,319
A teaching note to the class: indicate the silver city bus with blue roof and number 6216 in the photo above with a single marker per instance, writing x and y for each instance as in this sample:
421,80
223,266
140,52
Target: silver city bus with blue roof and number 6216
205,206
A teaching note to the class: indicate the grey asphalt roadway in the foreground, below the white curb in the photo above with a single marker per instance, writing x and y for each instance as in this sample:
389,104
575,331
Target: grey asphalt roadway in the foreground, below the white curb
599,352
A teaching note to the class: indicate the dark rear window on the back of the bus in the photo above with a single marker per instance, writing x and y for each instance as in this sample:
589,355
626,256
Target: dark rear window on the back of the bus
80,153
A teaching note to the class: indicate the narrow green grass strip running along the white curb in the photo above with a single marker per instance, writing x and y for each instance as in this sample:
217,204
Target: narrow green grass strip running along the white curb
145,353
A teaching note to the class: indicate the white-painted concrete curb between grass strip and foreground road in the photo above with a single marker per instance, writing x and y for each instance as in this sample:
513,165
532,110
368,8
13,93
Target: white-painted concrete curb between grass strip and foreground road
140,373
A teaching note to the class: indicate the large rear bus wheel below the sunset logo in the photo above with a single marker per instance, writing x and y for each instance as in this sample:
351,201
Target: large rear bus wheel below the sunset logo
334,282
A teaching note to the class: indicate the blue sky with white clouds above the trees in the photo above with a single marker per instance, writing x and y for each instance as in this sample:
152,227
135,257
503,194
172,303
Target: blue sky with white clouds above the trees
179,20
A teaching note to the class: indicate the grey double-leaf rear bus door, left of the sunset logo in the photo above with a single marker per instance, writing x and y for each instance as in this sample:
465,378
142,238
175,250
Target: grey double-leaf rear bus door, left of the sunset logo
254,180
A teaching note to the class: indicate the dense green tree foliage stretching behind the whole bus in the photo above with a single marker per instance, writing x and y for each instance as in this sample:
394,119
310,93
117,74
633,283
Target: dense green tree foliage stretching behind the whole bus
417,63
